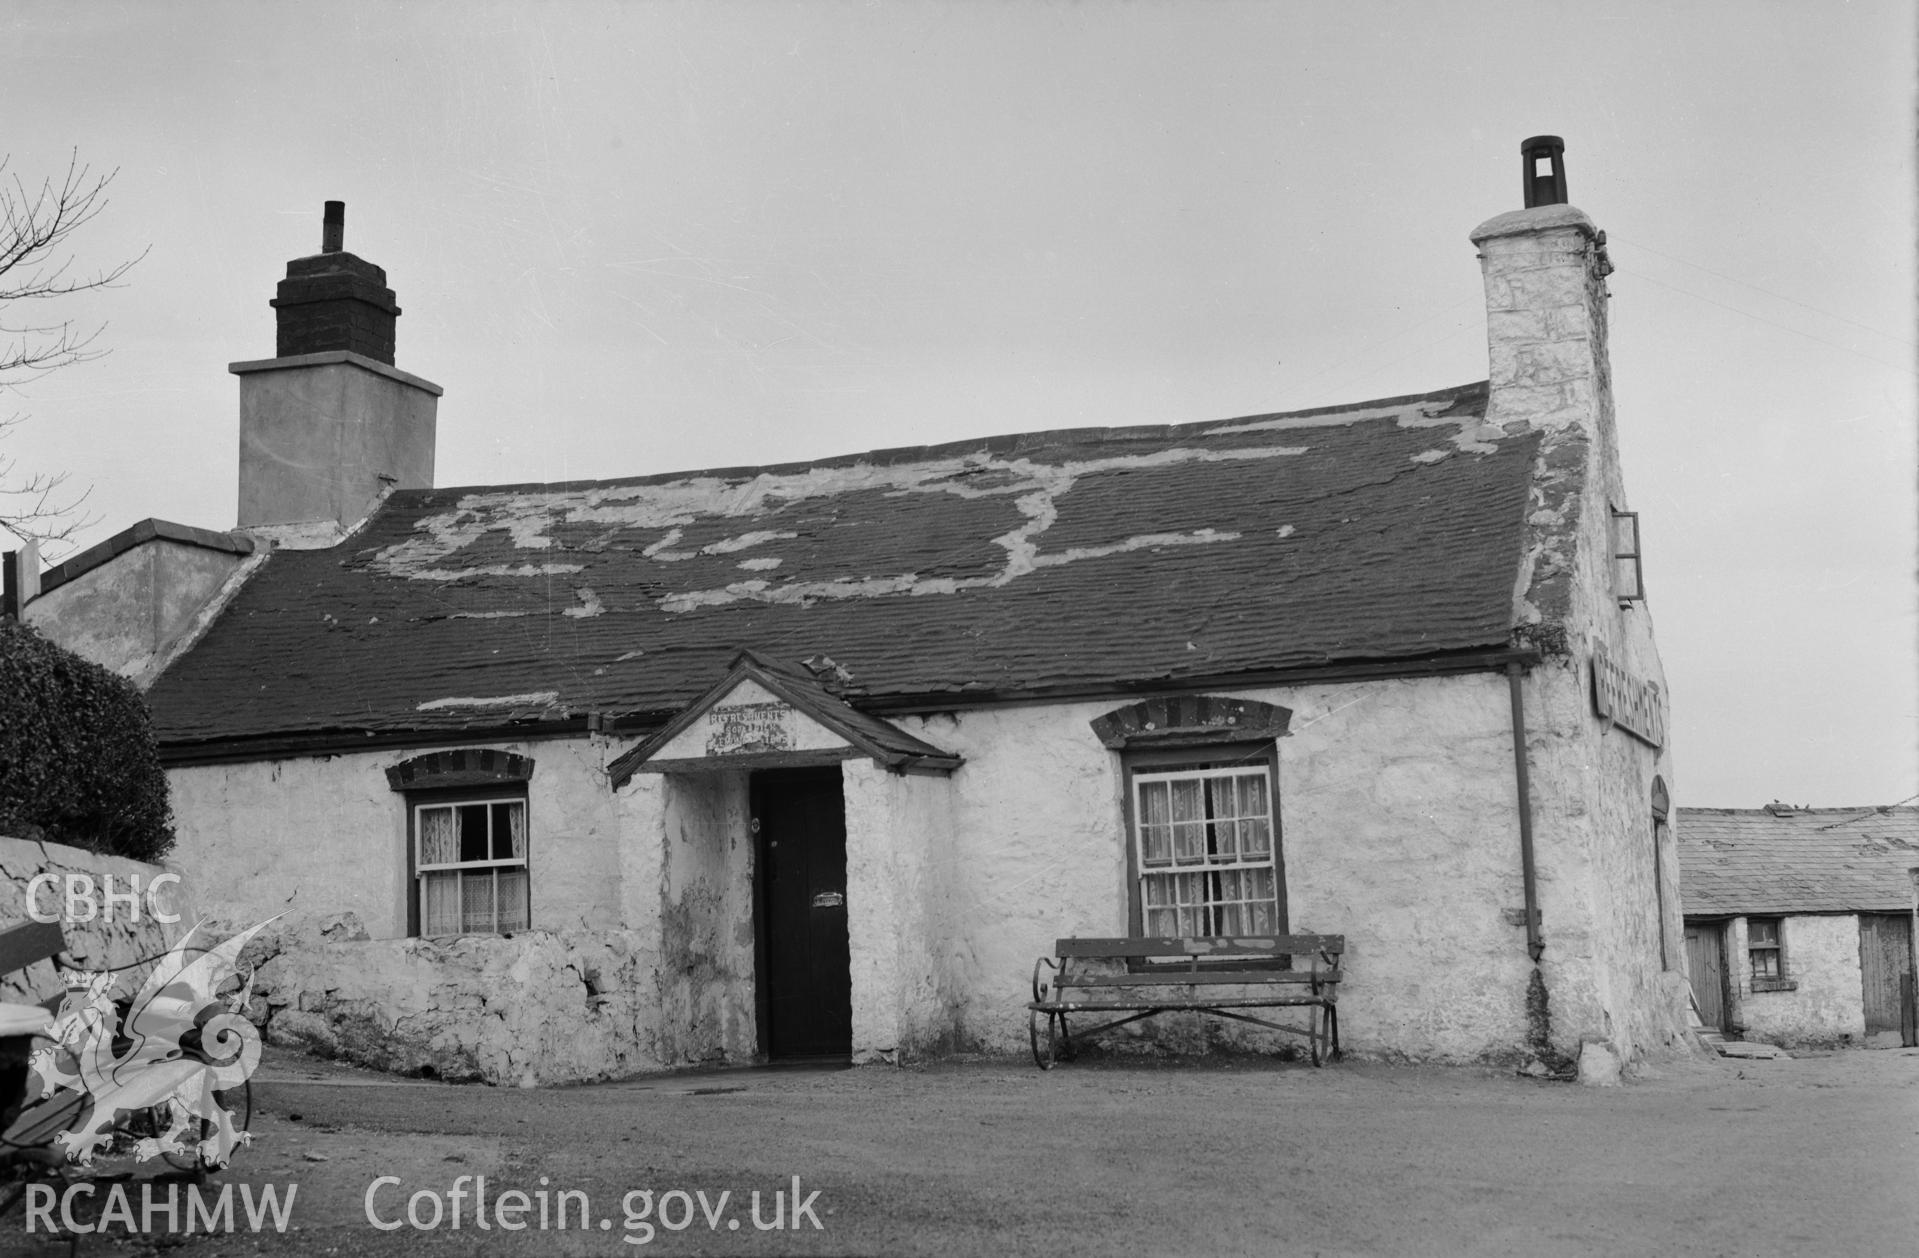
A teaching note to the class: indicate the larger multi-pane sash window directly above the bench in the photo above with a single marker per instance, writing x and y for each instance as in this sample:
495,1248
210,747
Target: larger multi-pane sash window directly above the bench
1206,850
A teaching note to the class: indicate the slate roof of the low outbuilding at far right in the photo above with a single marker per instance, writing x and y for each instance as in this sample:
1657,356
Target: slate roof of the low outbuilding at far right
1820,860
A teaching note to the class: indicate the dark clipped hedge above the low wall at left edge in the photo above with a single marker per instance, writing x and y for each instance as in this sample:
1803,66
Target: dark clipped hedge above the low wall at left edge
78,757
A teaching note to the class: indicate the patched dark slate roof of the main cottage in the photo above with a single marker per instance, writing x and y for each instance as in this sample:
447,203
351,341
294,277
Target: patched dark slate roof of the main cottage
1008,567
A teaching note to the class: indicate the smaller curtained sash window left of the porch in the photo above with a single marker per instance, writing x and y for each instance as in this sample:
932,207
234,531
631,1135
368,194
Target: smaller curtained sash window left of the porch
471,866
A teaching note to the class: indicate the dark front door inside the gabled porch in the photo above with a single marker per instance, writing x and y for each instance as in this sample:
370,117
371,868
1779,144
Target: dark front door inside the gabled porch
805,964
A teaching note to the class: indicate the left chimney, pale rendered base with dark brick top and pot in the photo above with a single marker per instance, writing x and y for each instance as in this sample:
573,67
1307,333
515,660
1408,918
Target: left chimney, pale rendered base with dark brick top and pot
329,425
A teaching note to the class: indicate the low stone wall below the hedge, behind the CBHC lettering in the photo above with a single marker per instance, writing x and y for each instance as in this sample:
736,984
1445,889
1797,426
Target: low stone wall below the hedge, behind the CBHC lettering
91,944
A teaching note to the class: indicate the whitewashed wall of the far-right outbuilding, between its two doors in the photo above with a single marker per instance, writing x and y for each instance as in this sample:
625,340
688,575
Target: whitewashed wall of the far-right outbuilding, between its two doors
1826,1006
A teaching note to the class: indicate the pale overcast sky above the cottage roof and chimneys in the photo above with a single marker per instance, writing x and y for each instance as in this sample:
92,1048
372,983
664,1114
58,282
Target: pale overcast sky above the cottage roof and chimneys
638,239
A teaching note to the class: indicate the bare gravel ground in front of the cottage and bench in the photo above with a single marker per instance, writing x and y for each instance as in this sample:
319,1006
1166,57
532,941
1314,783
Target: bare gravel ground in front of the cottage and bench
1811,1155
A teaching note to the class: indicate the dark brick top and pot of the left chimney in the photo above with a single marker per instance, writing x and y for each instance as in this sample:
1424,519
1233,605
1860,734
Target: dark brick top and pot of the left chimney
335,300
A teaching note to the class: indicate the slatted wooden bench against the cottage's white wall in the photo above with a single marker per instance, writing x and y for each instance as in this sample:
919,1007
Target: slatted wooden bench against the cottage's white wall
1223,977
